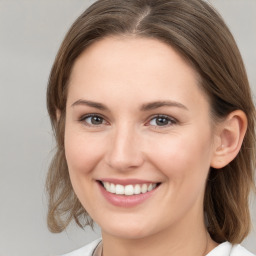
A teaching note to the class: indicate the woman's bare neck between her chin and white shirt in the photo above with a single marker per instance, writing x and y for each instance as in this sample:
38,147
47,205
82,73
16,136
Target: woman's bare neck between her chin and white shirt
179,240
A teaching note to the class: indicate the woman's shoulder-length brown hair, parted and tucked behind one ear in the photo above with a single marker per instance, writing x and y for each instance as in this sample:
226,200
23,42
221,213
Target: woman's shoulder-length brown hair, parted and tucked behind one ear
199,34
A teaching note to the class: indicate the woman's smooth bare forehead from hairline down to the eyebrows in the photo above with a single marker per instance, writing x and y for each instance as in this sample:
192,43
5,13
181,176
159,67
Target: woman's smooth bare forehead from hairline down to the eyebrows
129,66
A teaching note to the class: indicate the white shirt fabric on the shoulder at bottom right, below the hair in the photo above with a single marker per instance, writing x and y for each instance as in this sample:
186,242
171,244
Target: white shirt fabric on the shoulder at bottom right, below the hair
227,249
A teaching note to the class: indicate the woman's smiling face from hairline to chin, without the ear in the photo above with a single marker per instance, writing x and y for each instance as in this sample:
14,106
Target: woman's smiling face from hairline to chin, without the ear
137,121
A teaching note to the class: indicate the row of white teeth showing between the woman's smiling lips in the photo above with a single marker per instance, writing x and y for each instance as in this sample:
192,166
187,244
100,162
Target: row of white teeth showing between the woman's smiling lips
128,190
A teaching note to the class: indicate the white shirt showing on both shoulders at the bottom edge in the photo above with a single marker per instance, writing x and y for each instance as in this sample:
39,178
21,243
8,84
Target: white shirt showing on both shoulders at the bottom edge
224,249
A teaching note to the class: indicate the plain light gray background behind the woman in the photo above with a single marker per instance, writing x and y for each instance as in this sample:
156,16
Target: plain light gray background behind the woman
30,34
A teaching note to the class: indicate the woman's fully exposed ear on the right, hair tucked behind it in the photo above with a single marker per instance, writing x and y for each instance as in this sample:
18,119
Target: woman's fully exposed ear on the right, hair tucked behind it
229,138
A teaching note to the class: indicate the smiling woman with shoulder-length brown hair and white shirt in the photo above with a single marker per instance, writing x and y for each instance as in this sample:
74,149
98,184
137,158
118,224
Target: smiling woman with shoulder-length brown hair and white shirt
154,121
